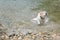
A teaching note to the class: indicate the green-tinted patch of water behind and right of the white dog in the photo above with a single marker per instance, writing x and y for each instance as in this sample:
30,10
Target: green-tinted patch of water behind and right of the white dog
52,7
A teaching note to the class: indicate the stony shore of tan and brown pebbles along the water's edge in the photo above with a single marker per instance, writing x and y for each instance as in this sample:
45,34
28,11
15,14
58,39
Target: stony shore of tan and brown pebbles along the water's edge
41,35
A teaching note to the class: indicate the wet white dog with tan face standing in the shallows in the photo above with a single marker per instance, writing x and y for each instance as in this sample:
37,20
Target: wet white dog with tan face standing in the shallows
42,17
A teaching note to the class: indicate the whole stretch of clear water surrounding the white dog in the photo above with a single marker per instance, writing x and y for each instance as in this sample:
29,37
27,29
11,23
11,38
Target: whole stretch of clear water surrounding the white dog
14,12
